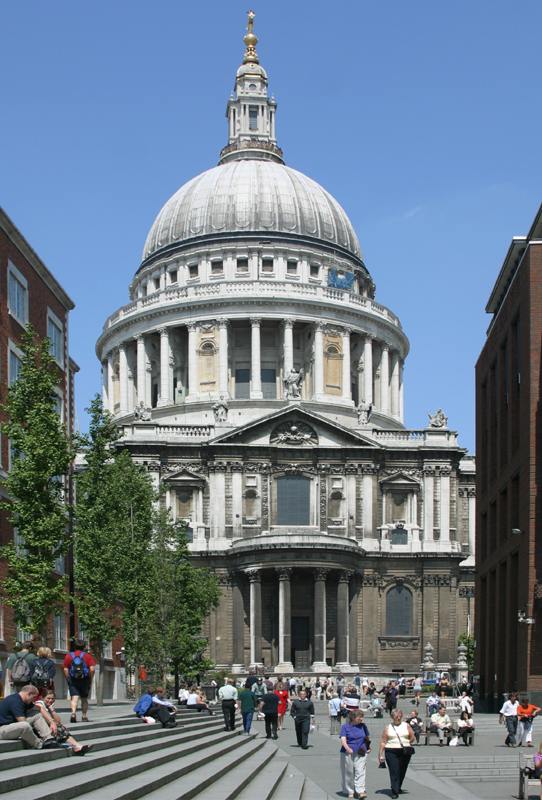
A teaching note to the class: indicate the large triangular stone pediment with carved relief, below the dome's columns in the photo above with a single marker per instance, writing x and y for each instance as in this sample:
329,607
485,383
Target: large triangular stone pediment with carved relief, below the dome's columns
295,426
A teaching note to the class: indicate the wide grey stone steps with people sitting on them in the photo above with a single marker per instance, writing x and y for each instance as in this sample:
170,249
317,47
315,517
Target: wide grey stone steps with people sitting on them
130,759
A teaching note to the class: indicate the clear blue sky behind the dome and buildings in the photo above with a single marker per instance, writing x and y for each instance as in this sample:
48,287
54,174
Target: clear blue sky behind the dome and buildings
422,118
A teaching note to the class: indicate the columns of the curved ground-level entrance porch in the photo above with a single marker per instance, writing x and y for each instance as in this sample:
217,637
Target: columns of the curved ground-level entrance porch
345,629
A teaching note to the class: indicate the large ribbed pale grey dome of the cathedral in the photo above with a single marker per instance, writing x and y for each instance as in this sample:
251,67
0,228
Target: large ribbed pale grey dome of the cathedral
248,196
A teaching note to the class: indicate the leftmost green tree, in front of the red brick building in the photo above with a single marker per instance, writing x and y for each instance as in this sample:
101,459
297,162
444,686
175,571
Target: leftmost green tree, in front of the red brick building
41,453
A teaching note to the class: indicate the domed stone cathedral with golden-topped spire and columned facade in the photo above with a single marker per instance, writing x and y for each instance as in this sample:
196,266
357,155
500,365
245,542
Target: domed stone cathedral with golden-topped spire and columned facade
261,384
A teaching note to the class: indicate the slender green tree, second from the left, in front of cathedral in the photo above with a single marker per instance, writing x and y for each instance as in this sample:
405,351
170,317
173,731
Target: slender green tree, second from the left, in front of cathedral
113,526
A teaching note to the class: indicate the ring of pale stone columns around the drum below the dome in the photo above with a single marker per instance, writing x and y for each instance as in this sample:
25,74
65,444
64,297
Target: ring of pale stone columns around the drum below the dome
377,367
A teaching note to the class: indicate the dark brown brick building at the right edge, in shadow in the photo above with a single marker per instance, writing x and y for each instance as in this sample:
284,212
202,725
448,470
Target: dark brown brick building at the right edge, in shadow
509,478
